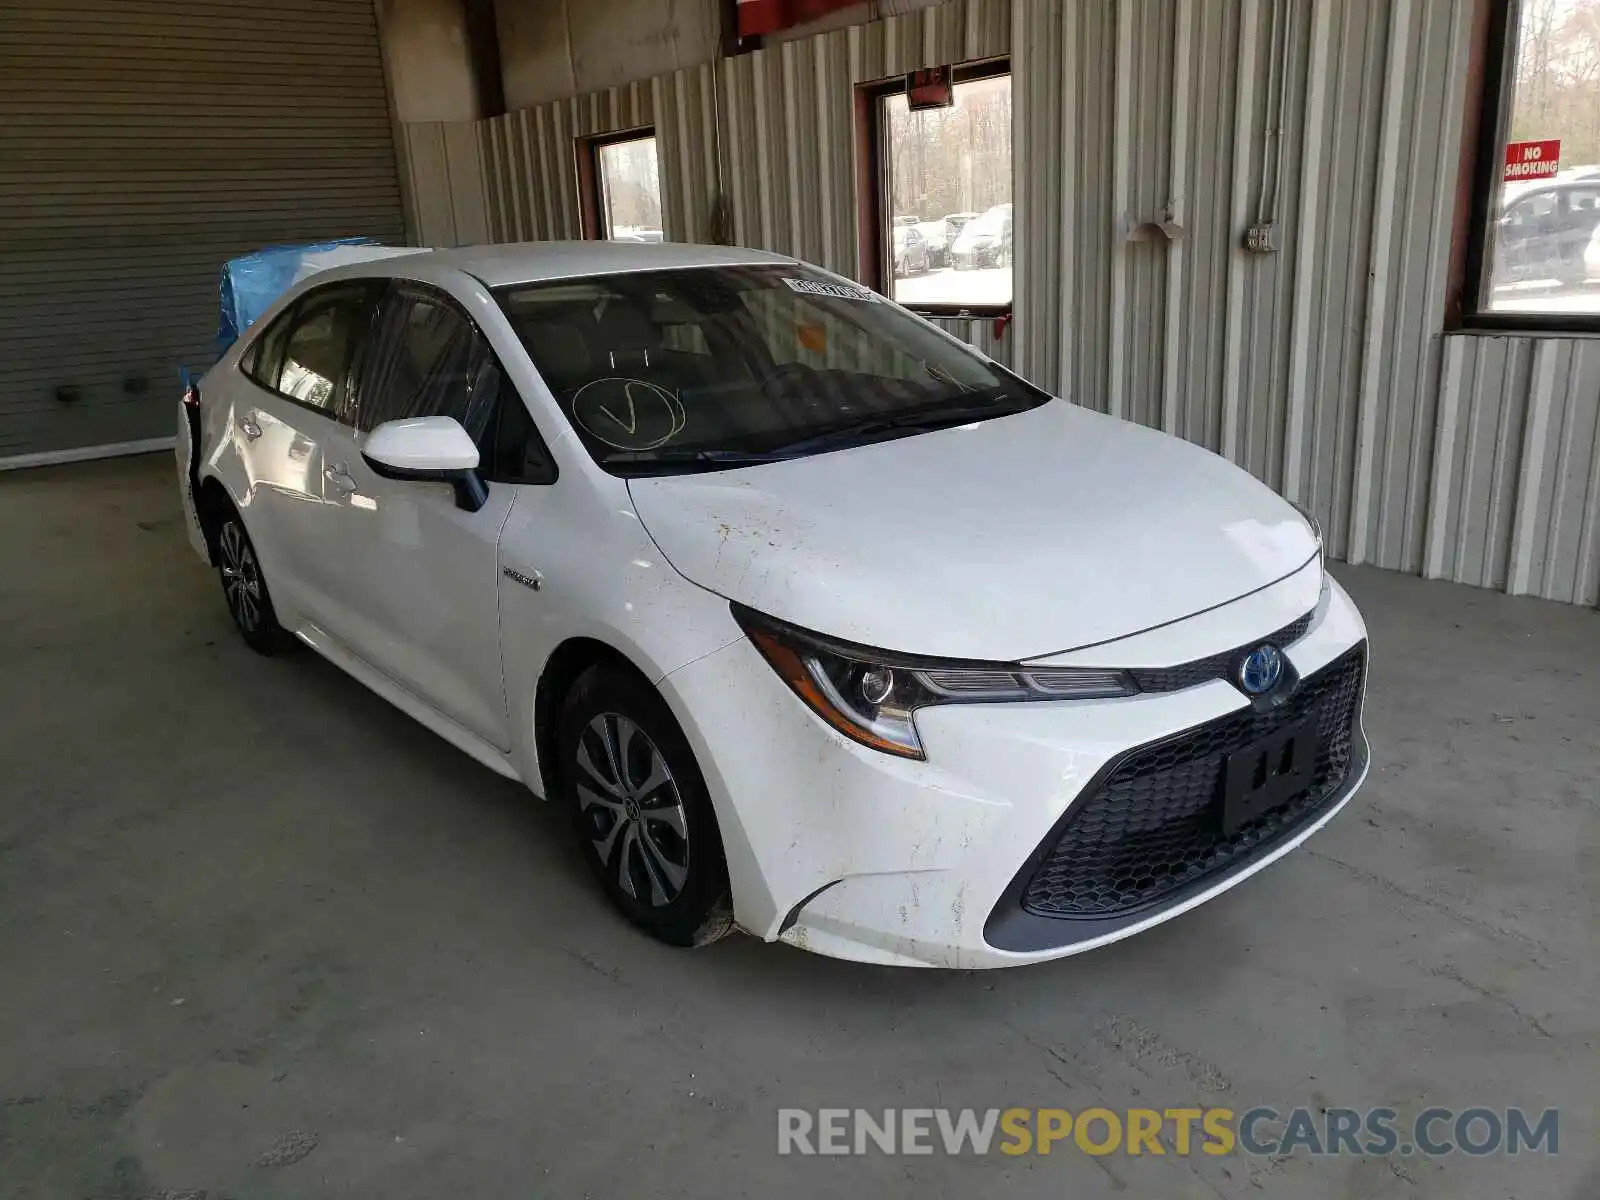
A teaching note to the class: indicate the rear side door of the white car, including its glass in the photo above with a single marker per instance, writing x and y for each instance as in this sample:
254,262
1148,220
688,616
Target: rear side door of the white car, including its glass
286,425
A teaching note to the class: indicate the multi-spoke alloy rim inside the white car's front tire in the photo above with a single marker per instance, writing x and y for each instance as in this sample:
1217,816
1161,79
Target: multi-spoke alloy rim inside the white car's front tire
633,810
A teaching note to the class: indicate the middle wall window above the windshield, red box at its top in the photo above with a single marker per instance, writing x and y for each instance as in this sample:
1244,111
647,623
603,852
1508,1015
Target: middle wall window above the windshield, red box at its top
940,230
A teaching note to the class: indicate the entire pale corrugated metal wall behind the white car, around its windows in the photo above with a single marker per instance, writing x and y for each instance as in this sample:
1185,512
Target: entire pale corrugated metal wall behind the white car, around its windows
1321,367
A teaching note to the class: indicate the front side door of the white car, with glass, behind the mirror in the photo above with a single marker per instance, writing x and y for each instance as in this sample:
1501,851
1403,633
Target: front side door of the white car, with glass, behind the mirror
423,572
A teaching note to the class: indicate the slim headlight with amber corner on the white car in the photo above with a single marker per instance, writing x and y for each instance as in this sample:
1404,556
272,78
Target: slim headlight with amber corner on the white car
871,695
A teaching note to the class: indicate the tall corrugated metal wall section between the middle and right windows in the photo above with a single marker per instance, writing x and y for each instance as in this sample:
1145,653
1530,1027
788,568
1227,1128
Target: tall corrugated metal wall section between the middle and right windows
1316,366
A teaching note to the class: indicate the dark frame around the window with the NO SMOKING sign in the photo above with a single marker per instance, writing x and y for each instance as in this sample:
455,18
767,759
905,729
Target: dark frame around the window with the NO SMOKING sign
1492,81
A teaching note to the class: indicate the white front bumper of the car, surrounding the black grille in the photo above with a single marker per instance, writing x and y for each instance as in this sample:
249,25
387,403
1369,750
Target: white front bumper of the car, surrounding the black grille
854,854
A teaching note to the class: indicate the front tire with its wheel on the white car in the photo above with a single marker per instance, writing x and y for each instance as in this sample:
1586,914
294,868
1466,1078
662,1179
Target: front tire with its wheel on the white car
647,831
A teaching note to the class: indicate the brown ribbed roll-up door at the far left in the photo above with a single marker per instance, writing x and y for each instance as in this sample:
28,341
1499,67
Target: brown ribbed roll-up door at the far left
145,143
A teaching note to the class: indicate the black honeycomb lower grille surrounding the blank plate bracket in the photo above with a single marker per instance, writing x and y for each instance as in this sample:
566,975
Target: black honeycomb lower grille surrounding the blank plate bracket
1154,823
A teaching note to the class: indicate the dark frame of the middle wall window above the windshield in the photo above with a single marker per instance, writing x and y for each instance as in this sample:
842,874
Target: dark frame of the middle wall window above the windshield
873,194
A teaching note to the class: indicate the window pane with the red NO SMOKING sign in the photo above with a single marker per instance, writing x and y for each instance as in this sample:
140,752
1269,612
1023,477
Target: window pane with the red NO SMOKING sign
1535,242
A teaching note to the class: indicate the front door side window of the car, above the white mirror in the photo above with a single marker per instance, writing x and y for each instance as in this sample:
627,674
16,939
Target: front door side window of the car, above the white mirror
428,359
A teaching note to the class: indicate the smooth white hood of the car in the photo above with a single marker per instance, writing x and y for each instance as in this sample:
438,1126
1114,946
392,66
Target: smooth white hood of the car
1004,540
